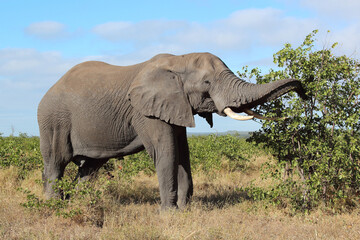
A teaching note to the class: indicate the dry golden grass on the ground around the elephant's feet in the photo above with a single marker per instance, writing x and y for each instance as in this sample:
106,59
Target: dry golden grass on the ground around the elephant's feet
131,211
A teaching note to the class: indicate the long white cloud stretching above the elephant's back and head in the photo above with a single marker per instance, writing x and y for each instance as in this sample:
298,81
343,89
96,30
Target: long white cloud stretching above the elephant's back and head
240,31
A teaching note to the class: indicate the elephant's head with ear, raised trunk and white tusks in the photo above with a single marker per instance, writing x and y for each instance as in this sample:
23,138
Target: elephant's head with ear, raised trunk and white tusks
174,88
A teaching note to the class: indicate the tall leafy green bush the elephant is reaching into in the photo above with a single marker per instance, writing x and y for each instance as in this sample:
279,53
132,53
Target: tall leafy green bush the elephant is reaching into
317,148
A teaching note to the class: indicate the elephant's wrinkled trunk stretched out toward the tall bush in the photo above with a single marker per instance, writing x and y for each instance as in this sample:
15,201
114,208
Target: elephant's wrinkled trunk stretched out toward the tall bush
241,96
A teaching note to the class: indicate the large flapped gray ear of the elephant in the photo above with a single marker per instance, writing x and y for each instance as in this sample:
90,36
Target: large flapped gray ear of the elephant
157,92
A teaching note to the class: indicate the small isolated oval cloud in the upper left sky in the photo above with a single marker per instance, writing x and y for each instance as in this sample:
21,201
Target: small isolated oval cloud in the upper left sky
47,30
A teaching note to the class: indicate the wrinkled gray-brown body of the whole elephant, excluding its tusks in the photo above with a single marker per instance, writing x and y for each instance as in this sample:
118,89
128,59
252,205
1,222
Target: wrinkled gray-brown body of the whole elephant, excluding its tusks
97,111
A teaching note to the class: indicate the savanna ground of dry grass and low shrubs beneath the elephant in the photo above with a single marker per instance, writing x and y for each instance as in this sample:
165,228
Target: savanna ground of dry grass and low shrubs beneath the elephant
123,203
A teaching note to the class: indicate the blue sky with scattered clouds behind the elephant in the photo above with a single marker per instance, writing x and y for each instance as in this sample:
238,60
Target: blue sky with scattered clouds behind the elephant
41,40
